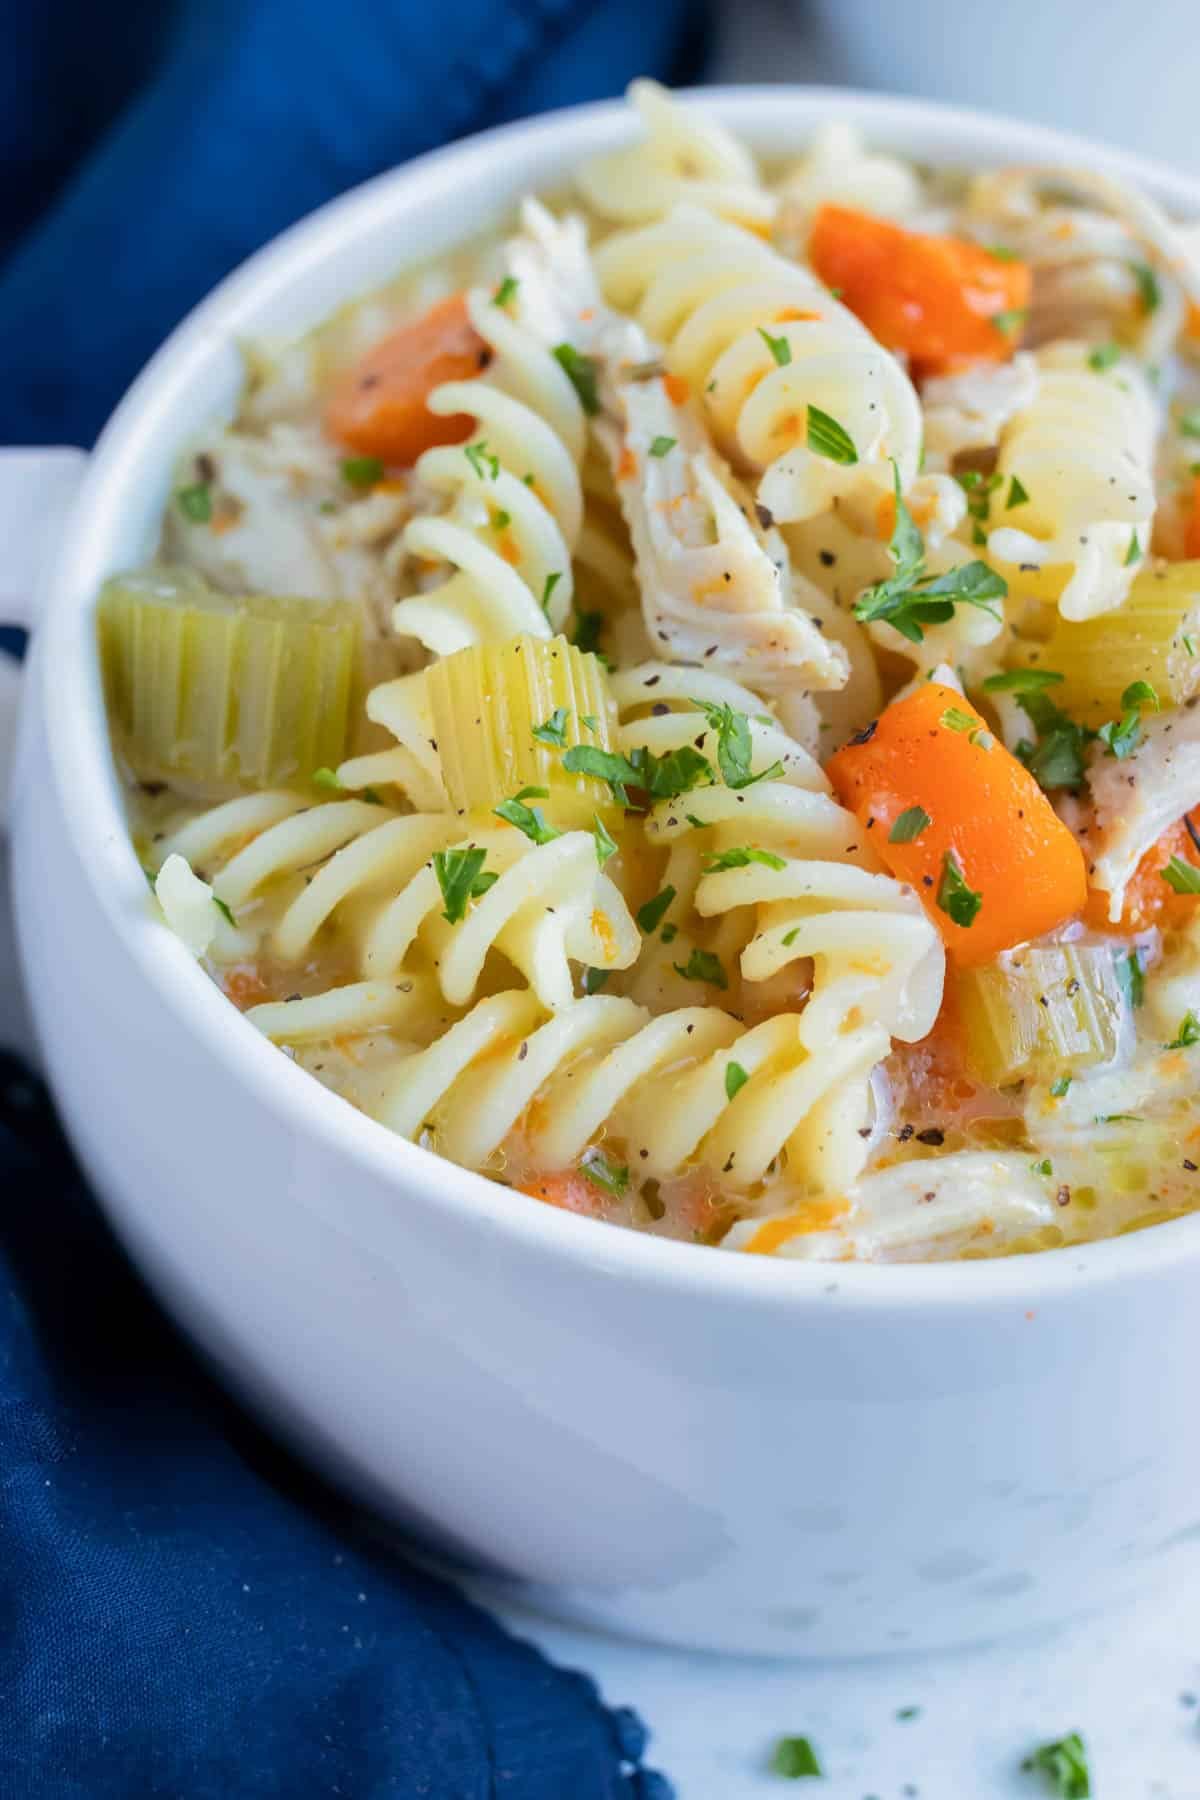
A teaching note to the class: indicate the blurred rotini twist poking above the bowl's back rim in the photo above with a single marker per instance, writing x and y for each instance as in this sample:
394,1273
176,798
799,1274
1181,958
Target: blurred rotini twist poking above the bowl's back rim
681,157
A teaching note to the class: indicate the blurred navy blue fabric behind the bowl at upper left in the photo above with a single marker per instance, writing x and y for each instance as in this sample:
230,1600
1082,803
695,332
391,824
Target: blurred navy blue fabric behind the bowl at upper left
240,118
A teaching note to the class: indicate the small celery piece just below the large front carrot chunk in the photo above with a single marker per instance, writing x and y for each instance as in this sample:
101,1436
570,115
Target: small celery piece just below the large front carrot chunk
1043,1012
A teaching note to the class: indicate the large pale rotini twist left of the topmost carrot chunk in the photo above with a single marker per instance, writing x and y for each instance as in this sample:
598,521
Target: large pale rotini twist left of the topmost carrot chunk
762,341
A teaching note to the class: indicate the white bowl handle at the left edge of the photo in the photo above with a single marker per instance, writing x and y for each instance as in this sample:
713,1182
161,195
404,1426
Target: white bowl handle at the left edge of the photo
37,494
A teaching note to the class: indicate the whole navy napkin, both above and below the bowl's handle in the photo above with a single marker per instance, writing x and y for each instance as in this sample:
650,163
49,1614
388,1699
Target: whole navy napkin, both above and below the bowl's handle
183,1612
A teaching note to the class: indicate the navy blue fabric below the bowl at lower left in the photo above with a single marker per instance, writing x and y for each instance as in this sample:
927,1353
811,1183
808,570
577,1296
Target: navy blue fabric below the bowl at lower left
183,1612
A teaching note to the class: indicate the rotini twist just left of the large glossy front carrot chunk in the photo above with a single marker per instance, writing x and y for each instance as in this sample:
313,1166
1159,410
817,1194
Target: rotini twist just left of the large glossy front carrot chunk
877,958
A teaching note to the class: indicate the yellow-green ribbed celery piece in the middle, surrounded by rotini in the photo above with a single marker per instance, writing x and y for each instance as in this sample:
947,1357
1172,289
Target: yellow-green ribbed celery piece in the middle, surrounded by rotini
505,715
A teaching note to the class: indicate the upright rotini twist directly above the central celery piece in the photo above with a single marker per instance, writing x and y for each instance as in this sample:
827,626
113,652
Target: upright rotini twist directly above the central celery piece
515,498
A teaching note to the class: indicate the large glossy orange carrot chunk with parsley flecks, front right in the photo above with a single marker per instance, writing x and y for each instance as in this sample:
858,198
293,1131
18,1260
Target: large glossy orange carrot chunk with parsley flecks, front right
953,813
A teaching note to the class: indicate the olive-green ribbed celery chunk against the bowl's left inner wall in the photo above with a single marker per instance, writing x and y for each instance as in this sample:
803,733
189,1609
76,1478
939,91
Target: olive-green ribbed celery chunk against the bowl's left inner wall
231,692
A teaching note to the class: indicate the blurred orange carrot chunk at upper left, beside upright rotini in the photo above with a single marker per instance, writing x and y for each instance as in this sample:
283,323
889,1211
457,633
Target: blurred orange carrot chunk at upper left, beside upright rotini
379,406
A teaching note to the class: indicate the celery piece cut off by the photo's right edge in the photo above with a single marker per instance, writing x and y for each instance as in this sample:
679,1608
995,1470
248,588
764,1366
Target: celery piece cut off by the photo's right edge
1152,638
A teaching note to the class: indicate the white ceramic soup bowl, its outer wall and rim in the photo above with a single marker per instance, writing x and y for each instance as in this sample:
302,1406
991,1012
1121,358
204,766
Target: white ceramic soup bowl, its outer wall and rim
670,1441
